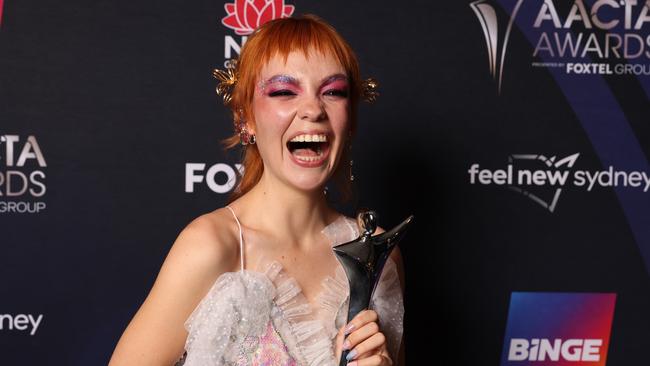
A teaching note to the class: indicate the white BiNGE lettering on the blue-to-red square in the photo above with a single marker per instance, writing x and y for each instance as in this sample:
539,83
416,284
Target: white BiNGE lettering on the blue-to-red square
557,350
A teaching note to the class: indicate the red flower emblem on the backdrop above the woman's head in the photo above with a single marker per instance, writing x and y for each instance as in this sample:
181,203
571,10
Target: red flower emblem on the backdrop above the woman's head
244,16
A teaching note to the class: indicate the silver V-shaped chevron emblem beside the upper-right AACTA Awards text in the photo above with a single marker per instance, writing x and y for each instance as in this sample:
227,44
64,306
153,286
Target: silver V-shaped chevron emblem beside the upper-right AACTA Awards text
487,16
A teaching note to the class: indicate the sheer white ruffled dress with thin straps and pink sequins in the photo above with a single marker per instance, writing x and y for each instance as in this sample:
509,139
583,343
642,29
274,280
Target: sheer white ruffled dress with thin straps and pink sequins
263,319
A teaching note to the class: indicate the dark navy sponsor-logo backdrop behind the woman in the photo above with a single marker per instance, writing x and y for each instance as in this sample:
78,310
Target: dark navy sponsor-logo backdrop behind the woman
516,131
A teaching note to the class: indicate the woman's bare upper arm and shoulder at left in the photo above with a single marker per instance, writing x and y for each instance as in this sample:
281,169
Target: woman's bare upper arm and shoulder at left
156,336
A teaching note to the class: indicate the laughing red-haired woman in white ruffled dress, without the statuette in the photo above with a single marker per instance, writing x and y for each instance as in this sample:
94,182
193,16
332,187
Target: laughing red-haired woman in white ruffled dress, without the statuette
256,282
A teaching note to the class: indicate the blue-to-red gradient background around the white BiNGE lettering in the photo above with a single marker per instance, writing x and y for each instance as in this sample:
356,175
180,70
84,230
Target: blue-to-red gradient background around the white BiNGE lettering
564,316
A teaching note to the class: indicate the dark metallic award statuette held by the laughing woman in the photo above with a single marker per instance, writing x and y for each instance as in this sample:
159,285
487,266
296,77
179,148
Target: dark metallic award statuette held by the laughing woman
363,260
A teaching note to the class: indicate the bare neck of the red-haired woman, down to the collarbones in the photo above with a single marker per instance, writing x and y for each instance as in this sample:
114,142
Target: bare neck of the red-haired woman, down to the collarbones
294,215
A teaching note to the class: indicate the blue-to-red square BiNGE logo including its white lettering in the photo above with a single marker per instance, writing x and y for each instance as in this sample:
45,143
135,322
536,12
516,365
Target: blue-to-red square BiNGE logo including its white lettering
558,329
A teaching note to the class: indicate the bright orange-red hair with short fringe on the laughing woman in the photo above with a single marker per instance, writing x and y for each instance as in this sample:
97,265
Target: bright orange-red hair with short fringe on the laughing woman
281,37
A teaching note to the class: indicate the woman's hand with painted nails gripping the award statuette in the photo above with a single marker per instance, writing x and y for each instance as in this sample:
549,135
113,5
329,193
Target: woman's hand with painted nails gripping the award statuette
366,342
